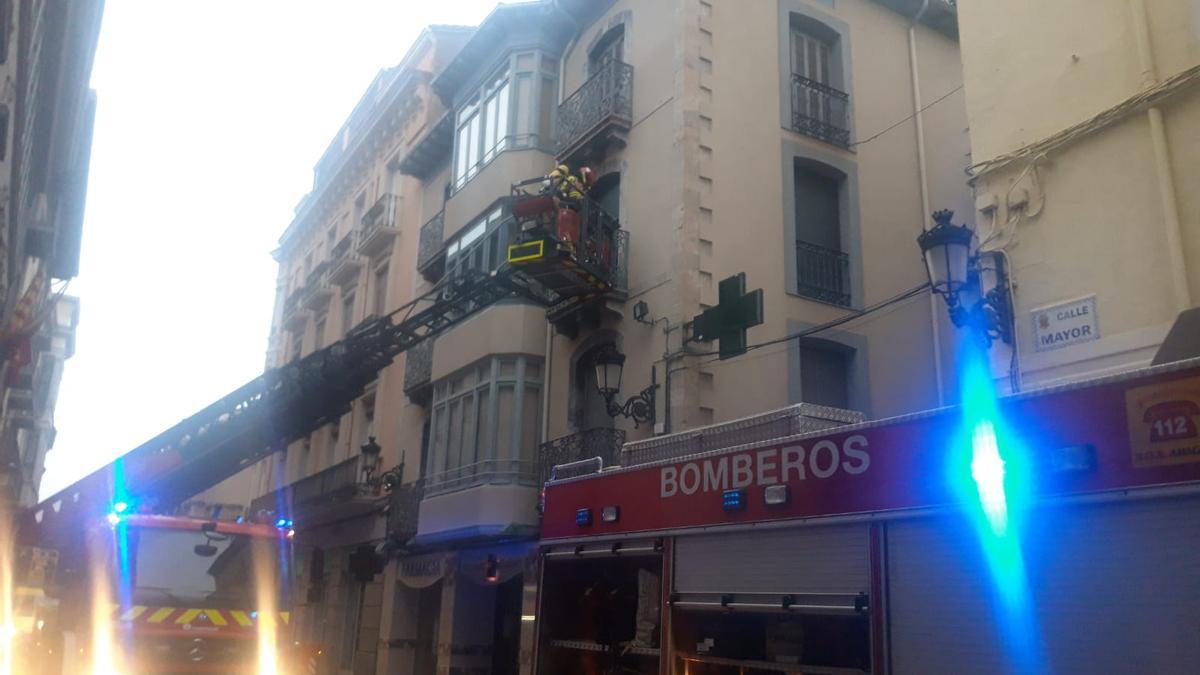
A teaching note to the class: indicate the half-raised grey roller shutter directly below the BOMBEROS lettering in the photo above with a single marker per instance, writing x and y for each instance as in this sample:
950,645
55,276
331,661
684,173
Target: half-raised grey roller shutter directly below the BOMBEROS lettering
793,560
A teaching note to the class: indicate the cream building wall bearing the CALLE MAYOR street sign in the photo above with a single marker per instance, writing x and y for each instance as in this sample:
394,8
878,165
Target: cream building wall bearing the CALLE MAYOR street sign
1087,194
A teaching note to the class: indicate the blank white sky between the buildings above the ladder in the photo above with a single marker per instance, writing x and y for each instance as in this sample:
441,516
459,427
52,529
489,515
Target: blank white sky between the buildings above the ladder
212,115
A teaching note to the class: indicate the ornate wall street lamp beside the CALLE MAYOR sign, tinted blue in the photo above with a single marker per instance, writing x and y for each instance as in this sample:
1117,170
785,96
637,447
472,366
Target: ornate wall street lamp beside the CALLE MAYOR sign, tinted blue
974,286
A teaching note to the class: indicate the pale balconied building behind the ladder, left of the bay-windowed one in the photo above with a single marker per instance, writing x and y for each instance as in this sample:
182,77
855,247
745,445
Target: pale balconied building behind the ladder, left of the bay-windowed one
350,254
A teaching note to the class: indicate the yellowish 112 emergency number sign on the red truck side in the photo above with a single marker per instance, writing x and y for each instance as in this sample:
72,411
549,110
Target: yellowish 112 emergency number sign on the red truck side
1163,423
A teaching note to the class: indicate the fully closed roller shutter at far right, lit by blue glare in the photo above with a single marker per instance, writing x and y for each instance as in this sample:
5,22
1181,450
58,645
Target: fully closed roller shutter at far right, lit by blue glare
1114,590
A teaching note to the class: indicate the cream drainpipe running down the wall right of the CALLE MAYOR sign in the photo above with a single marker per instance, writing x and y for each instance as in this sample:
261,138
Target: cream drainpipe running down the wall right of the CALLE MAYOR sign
1162,162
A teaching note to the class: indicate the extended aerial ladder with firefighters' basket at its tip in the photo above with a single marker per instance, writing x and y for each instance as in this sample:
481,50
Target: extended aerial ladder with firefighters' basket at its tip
562,256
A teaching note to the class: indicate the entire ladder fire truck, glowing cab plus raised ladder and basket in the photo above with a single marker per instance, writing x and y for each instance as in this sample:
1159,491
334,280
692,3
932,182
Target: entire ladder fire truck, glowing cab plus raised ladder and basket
173,581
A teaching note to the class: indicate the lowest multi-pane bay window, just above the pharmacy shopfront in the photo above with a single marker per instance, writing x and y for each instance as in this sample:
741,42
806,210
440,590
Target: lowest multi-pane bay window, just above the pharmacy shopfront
484,425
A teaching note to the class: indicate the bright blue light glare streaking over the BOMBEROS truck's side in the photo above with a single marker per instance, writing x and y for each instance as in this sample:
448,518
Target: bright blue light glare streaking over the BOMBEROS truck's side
991,474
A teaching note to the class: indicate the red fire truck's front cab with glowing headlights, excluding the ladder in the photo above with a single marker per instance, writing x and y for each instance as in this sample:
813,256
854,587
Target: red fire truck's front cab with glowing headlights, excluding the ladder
175,595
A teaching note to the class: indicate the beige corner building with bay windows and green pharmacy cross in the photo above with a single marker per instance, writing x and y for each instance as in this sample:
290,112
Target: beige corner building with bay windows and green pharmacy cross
727,139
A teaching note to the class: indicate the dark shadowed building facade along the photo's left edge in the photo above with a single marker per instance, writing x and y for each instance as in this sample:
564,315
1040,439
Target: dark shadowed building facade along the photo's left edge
46,121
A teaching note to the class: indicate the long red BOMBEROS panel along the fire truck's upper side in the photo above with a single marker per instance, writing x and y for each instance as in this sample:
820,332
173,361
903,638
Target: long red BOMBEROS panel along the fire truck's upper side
1143,433
